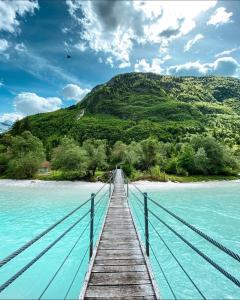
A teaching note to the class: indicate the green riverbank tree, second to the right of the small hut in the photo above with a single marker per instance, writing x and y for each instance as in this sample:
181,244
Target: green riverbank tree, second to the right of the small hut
96,154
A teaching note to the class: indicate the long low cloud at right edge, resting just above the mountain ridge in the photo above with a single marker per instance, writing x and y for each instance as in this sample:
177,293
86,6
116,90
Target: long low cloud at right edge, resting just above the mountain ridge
224,66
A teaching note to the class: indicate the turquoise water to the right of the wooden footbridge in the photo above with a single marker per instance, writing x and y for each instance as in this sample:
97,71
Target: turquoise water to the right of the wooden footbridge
213,208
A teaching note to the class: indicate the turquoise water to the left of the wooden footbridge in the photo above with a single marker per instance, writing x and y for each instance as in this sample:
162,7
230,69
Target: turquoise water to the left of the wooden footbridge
26,209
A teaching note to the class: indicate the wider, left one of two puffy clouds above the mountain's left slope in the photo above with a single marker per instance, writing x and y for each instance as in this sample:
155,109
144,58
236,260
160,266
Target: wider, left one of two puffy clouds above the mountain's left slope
30,103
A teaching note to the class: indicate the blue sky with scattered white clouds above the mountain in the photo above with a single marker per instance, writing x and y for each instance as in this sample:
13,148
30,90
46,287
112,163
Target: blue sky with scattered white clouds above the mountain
105,38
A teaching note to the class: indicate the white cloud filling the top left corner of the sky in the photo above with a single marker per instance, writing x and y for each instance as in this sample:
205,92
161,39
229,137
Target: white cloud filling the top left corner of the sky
11,10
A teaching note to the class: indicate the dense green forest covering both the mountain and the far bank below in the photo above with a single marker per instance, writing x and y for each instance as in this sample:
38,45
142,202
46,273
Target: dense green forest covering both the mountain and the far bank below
152,125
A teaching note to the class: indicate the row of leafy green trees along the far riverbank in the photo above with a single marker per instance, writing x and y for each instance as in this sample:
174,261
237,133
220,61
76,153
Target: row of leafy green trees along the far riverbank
21,157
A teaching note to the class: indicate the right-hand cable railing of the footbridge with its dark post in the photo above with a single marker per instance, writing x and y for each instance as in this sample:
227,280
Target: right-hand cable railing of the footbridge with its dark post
146,217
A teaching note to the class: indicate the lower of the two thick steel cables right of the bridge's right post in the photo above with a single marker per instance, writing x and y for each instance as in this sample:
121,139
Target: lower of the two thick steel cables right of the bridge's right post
199,252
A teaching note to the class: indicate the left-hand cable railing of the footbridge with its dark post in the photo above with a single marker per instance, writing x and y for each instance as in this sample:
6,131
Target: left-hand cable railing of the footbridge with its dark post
93,208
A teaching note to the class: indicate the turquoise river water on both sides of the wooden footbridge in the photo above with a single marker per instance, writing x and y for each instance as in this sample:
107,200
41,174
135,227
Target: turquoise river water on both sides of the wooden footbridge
27,208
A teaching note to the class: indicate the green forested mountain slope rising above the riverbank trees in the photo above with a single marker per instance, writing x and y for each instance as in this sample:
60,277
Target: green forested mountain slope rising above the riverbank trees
134,106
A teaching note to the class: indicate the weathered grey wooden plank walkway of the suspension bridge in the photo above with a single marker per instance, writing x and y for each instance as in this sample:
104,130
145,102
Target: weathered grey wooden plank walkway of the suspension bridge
119,269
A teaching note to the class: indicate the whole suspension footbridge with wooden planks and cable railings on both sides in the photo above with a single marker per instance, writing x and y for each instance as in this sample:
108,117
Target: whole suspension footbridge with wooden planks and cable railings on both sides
119,267
